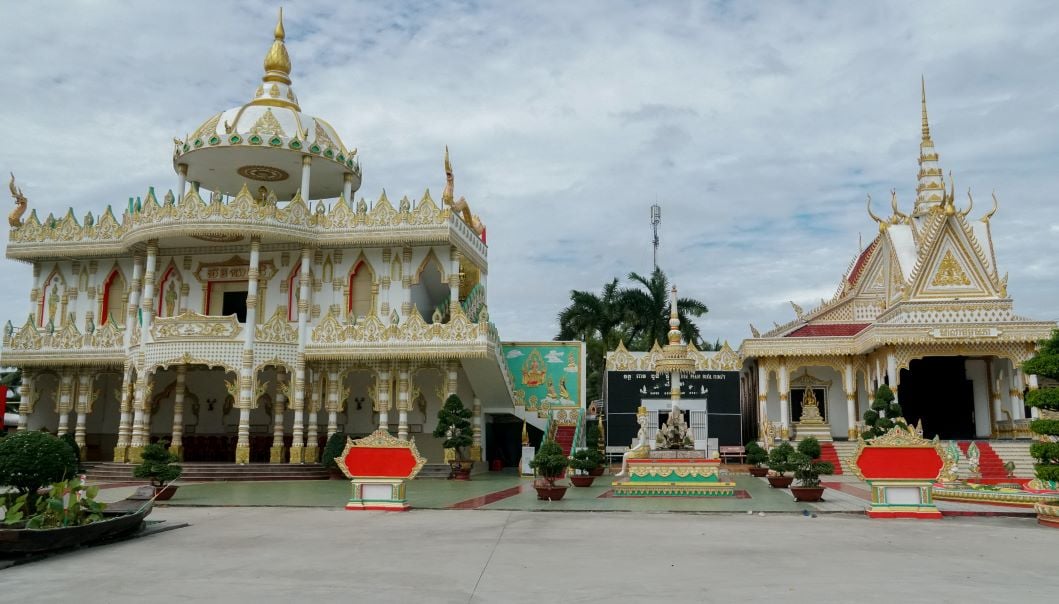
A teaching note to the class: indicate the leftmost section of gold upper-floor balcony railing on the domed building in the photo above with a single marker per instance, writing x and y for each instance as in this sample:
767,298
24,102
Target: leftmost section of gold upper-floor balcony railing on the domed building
31,346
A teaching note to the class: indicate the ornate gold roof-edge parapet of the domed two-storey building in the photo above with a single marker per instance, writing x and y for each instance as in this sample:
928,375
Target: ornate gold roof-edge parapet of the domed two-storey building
234,221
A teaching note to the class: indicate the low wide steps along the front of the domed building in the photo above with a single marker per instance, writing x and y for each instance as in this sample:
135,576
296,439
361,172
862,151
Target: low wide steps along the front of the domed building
205,472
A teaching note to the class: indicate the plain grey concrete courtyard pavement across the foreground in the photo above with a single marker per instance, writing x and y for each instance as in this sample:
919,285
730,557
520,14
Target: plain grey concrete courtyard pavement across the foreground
282,555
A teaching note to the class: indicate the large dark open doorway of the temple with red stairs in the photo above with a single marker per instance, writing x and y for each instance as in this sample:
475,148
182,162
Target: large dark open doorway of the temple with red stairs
937,392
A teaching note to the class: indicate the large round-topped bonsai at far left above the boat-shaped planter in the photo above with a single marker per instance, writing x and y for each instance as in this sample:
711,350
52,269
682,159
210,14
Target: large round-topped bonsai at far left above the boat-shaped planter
32,460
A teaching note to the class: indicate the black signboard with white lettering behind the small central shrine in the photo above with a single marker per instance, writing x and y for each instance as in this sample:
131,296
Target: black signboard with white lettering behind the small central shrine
721,389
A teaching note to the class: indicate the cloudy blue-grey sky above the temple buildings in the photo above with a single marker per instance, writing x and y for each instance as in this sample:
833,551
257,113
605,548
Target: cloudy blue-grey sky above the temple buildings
759,128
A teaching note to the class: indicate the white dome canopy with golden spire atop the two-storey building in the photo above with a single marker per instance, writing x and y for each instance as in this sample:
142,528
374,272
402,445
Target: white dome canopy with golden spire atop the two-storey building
266,143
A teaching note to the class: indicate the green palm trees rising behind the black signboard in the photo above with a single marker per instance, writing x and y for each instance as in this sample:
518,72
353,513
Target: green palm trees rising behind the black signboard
648,305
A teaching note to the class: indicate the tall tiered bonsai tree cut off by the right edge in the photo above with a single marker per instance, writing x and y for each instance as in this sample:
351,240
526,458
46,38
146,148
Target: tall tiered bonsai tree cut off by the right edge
1046,364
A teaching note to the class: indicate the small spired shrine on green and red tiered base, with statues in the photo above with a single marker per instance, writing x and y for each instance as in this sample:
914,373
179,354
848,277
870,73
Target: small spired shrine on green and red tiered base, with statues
673,467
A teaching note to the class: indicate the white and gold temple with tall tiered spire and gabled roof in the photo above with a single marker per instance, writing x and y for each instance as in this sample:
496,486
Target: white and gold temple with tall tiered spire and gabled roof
923,309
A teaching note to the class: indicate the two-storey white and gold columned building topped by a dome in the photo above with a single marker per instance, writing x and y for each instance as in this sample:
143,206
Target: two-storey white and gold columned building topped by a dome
256,309
